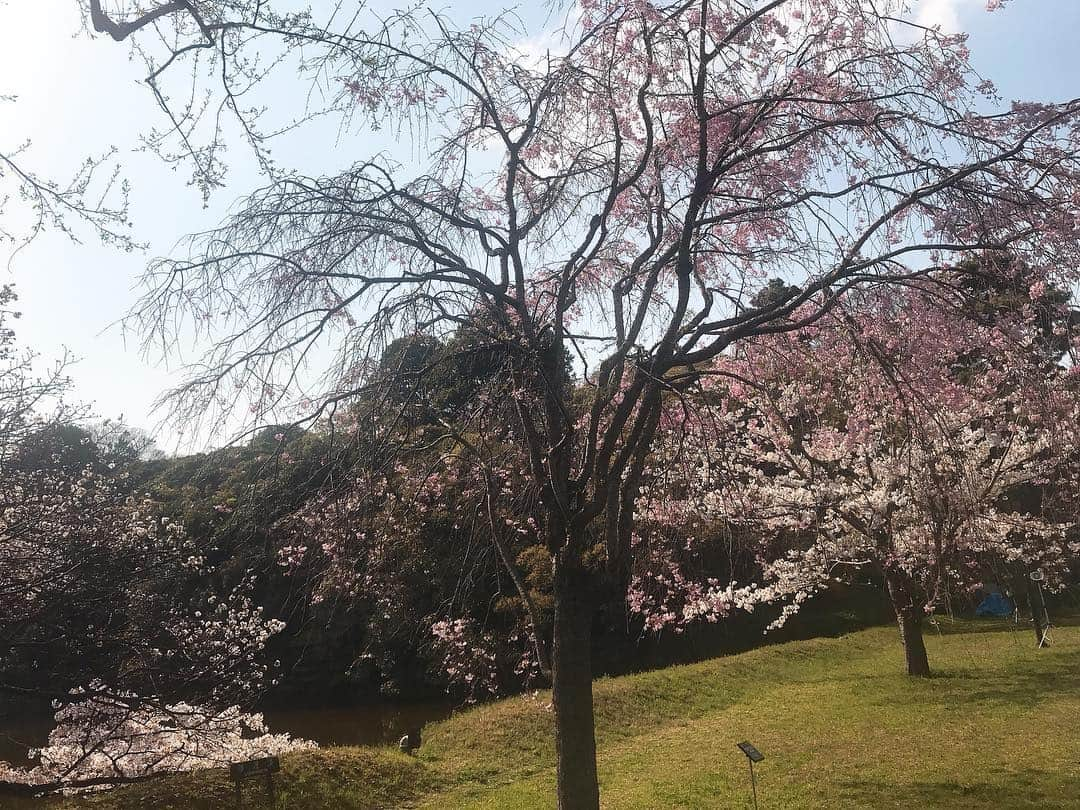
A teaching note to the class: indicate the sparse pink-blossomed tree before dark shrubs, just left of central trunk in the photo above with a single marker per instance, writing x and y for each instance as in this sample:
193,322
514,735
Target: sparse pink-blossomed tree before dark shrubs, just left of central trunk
434,523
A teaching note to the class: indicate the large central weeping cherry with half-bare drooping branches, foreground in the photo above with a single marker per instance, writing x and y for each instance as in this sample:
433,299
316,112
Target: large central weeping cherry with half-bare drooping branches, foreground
623,198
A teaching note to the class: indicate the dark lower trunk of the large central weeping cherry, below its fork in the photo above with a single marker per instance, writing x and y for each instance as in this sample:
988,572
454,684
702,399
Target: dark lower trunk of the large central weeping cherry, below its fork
573,686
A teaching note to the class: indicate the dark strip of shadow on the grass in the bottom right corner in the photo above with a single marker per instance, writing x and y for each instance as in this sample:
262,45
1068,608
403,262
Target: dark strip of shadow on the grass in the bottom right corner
1024,789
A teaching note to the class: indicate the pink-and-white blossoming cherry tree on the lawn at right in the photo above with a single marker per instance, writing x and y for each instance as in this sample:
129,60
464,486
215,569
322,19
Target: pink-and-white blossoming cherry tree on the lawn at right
898,436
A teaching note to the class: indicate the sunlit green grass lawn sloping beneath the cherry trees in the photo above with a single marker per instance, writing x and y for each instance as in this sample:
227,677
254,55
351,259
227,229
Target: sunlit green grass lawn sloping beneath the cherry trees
840,725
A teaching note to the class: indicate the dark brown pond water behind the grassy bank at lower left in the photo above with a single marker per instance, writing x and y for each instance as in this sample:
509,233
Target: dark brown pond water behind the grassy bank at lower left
372,725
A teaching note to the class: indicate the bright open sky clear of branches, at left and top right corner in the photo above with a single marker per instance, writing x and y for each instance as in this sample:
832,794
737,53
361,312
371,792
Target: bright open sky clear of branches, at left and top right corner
79,96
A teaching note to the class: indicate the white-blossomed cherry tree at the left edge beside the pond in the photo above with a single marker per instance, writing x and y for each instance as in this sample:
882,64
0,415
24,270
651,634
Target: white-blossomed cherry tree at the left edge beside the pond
109,609
